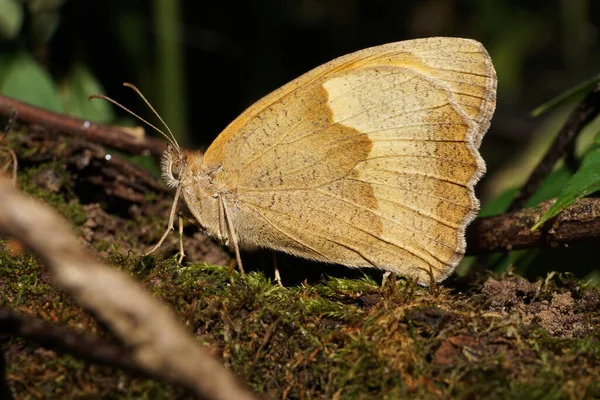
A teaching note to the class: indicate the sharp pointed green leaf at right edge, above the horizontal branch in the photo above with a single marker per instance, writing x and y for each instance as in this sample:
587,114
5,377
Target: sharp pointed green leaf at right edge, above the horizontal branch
585,181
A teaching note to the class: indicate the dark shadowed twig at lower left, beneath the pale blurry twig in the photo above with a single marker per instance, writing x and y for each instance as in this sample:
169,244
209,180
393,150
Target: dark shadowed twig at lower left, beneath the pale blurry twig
59,338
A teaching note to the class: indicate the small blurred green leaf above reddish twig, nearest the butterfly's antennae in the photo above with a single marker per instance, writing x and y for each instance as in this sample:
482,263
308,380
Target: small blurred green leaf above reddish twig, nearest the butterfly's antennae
74,92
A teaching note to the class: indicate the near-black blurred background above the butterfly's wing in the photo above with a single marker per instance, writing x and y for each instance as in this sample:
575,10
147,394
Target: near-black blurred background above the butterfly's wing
236,52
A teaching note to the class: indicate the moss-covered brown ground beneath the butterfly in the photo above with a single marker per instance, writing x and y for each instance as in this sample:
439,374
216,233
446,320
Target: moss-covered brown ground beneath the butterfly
330,337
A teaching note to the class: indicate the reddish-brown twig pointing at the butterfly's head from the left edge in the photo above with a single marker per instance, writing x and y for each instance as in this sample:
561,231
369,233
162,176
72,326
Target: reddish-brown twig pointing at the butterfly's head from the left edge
97,133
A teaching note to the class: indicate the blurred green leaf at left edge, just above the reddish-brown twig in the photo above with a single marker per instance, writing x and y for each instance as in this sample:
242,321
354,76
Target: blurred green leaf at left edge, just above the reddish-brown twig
24,79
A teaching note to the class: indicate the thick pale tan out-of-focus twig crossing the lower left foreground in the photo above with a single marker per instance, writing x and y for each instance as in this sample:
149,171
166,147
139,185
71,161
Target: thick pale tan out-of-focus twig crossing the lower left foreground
156,341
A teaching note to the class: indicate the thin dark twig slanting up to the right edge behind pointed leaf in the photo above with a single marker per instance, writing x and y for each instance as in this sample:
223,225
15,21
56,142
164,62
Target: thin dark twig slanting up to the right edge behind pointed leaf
582,115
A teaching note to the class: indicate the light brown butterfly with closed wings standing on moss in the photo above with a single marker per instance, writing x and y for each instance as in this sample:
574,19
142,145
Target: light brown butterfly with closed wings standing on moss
366,161
